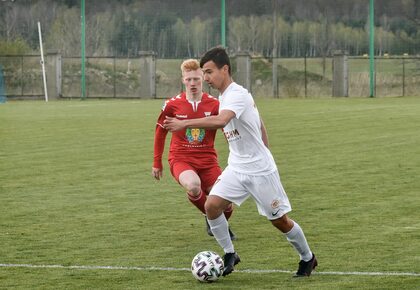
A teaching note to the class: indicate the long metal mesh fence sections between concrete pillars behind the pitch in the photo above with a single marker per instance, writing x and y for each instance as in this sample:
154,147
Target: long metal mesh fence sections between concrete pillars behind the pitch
111,77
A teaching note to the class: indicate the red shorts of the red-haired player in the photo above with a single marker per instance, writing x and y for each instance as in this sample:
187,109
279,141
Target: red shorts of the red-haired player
208,174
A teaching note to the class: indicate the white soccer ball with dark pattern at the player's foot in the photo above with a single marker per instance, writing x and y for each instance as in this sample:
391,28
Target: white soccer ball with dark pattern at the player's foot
207,266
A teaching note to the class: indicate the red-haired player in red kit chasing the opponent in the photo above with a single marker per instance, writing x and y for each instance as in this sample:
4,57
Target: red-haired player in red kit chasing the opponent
192,157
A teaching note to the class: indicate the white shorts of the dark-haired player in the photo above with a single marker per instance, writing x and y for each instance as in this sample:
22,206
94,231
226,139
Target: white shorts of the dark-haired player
267,191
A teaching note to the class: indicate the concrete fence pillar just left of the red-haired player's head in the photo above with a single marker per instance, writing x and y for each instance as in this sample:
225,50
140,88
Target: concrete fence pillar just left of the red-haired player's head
147,74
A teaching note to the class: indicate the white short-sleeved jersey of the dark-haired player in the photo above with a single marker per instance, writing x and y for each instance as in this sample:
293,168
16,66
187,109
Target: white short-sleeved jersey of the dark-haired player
247,152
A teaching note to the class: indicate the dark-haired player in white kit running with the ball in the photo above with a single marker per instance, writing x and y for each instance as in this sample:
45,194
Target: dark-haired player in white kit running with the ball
251,169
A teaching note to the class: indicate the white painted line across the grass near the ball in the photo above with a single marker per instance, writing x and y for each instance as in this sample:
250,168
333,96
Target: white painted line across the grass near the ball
384,274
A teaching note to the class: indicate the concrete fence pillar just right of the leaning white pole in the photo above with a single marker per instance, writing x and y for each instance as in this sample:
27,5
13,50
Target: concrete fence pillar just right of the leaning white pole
53,74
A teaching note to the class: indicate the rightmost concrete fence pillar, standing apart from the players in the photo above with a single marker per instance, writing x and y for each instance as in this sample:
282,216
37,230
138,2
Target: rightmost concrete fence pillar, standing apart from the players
340,74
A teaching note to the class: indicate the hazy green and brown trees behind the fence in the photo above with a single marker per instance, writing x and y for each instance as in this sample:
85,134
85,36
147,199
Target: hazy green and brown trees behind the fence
186,28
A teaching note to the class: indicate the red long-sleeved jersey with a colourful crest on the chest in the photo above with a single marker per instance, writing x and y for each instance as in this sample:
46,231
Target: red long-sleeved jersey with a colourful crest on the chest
192,143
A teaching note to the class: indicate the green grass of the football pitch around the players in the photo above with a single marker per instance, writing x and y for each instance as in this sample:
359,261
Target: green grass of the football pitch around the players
76,190
